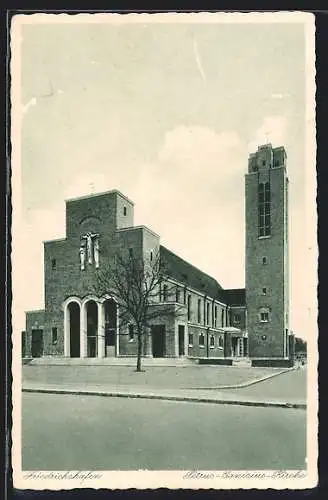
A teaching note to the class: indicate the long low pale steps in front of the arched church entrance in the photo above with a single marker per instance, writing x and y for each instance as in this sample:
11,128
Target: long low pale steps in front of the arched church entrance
120,361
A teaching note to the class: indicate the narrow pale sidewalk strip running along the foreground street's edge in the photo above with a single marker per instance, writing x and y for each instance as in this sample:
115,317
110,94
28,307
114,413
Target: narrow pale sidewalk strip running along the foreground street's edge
145,392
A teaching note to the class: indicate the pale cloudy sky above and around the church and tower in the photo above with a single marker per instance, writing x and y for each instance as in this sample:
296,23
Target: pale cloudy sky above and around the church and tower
167,113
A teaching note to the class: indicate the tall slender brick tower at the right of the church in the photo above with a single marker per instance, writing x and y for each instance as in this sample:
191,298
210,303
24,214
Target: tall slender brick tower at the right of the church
267,273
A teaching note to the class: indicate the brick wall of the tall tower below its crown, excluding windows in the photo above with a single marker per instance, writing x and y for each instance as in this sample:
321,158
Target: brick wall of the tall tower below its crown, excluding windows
266,339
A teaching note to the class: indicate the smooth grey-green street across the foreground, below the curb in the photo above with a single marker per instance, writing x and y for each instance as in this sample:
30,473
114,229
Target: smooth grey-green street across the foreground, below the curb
65,432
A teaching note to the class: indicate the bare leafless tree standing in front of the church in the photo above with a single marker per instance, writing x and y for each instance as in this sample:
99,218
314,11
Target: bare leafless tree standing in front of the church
138,286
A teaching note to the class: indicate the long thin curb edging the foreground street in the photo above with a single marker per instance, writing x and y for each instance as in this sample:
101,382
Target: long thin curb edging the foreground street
263,404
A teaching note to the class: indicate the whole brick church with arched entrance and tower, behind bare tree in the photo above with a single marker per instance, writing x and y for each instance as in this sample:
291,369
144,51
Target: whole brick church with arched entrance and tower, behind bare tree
202,320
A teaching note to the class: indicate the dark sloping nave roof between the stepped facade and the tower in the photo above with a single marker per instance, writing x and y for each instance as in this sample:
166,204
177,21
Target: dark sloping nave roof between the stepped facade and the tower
182,271
